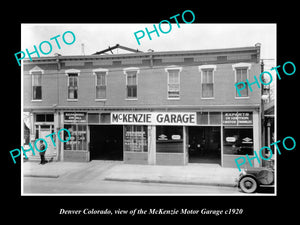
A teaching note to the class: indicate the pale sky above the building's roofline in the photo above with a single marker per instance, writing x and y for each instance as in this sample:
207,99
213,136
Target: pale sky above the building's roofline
195,36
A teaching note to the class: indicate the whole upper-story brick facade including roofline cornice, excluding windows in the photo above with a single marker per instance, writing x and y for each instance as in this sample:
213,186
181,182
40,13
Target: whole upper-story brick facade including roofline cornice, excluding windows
152,81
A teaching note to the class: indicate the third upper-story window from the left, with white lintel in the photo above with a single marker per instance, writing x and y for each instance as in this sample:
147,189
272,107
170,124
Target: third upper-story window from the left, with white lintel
101,83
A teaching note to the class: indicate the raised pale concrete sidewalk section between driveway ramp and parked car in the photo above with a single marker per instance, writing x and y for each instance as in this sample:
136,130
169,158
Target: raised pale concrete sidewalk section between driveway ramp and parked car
201,174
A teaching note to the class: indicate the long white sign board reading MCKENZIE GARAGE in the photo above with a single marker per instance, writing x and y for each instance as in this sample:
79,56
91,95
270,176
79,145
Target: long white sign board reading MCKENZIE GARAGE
154,118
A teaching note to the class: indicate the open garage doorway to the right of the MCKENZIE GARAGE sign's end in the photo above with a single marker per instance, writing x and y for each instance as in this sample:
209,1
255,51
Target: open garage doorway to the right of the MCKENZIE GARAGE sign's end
204,145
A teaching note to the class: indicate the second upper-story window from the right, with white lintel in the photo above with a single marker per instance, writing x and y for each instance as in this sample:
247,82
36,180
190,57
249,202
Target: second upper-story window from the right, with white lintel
207,80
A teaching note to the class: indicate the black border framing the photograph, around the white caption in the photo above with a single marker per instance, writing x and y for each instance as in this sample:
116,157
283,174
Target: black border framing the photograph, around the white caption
35,208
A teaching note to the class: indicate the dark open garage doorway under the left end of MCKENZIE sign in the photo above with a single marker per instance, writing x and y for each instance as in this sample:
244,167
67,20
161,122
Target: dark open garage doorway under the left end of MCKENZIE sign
106,142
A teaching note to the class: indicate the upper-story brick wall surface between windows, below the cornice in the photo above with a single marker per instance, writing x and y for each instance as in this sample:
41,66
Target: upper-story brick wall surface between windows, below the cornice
152,88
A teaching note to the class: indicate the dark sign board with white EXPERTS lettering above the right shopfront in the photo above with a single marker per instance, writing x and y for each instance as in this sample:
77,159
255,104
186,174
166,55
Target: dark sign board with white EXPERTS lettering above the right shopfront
237,118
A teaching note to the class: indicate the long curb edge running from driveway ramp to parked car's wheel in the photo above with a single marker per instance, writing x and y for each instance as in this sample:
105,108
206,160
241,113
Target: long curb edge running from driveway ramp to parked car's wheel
171,182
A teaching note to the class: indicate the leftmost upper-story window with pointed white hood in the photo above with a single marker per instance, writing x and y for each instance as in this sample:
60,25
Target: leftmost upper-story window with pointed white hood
36,78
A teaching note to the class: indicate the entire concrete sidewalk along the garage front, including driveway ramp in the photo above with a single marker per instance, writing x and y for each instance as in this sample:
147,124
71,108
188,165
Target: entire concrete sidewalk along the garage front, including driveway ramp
200,174
